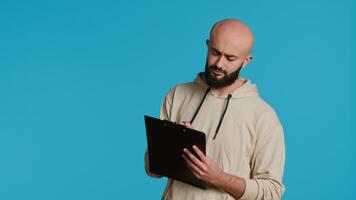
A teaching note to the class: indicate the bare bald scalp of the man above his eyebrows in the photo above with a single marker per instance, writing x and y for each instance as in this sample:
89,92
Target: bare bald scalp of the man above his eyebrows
233,35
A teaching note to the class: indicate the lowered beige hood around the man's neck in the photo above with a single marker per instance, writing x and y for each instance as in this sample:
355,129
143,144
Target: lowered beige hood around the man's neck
248,89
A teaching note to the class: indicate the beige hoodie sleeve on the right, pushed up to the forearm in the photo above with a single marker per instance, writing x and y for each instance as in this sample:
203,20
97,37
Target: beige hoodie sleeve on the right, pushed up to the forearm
267,163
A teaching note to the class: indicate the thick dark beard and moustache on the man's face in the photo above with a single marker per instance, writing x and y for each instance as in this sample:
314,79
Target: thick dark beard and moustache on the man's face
226,80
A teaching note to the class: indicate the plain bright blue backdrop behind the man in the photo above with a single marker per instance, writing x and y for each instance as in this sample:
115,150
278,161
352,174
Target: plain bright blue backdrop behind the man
76,78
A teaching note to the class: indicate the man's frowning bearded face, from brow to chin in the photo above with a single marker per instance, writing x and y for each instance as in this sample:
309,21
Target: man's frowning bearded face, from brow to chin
222,68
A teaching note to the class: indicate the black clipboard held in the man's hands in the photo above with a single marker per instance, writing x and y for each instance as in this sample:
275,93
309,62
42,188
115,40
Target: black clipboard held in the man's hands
165,142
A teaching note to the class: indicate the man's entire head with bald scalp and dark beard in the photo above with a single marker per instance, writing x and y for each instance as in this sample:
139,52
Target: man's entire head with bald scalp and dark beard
229,49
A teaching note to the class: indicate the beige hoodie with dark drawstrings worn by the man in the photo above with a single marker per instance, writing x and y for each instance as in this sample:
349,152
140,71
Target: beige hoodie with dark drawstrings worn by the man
248,144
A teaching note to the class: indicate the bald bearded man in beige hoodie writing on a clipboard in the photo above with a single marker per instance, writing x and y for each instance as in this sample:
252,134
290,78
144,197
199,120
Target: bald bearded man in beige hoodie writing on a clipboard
245,149
